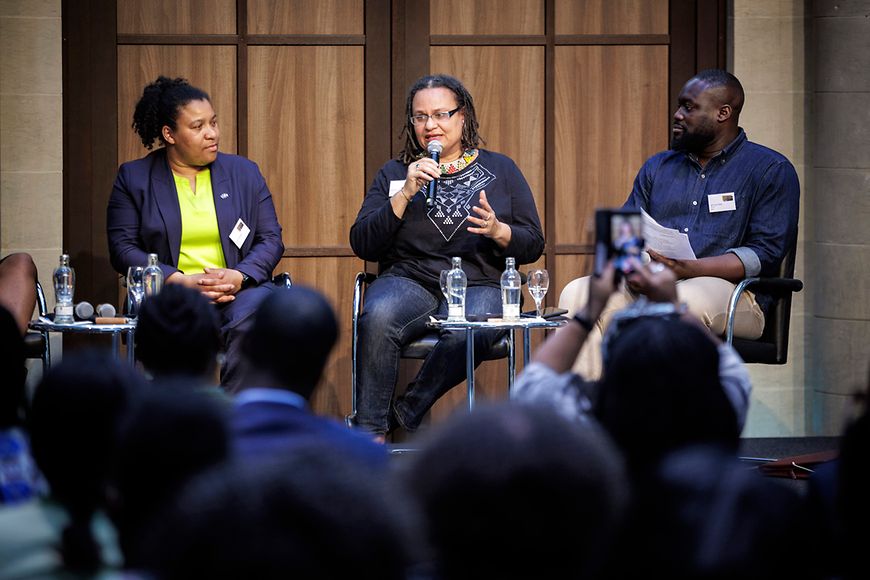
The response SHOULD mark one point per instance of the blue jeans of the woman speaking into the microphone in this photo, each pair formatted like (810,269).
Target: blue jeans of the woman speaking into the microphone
(395,313)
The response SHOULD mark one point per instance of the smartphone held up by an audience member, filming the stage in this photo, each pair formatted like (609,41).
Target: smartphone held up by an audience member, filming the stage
(618,236)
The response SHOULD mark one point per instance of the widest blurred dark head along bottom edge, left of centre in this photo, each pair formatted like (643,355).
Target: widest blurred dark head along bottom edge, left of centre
(308,514)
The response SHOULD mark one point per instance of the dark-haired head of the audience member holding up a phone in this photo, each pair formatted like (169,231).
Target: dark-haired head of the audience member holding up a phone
(660,391)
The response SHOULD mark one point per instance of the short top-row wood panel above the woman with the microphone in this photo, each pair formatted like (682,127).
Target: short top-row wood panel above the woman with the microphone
(486,17)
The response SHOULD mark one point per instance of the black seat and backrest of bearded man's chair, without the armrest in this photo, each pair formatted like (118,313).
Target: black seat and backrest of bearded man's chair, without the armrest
(772,346)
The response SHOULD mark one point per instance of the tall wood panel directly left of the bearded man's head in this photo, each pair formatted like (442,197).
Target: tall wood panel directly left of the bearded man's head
(611,114)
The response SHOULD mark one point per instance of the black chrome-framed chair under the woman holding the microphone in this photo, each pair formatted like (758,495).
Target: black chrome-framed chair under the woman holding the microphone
(419,349)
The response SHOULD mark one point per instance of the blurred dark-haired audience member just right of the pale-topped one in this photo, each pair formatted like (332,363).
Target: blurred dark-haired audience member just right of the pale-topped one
(171,436)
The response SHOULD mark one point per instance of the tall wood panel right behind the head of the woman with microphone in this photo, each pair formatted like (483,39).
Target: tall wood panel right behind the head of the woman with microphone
(507,85)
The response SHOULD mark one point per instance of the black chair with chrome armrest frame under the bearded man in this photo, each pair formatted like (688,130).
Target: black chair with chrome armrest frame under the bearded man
(772,347)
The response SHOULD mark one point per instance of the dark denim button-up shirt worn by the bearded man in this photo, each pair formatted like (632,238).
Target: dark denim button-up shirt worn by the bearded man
(673,188)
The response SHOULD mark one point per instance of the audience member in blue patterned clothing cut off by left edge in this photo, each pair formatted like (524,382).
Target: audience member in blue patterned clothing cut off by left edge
(20,480)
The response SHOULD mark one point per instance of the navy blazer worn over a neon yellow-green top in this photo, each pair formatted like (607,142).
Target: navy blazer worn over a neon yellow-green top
(144,216)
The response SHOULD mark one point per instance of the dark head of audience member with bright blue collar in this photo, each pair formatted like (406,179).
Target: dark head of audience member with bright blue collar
(289,343)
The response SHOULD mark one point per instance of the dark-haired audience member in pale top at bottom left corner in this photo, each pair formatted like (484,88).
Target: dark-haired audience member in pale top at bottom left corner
(75,418)
